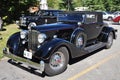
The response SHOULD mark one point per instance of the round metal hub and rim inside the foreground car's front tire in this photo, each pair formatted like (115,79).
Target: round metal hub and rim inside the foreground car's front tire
(57,60)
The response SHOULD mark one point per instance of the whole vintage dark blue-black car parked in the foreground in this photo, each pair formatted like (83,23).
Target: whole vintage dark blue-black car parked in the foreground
(50,47)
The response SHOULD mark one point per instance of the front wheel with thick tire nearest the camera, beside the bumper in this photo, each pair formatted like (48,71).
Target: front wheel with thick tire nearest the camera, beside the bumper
(58,62)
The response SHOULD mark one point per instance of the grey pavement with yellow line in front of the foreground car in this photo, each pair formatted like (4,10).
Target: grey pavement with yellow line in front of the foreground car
(103,64)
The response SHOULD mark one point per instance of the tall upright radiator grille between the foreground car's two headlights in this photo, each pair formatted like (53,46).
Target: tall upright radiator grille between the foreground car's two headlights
(33,40)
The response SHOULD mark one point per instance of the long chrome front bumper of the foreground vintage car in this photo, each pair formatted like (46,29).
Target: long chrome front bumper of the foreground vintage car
(40,66)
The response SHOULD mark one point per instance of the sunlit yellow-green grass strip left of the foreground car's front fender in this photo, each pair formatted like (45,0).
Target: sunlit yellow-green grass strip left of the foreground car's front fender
(5,34)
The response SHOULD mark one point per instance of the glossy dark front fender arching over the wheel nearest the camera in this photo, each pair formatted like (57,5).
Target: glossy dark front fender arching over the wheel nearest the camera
(49,47)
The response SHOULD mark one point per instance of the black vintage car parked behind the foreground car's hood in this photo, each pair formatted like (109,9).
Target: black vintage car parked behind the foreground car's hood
(38,18)
